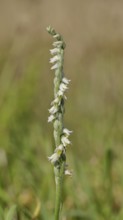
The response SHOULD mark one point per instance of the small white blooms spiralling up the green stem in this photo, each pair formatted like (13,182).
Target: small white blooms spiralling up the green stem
(57,61)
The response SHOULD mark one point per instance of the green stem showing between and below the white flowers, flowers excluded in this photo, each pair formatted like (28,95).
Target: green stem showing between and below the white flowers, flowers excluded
(58,127)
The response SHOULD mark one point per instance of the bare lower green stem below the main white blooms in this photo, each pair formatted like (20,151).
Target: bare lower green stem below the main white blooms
(59,175)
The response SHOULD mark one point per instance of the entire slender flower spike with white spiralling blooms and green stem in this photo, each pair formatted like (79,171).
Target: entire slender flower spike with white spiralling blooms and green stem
(61,134)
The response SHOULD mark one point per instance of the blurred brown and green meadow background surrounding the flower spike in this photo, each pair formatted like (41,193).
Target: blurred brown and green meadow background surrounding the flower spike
(93,32)
